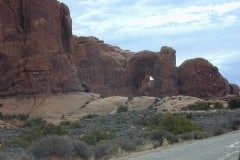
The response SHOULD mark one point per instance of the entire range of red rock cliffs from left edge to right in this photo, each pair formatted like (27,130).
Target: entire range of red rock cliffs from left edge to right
(39,55)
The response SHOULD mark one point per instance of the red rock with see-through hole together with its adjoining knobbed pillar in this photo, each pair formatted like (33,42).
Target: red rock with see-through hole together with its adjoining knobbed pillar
(160,66)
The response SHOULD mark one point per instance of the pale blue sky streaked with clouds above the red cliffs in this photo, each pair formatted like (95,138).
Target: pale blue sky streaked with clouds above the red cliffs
(195,28)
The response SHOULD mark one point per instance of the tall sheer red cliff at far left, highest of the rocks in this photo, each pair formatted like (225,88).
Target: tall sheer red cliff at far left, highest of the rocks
(35,48)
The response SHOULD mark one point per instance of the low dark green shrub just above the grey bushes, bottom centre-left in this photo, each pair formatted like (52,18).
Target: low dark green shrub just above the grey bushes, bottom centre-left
(92,138)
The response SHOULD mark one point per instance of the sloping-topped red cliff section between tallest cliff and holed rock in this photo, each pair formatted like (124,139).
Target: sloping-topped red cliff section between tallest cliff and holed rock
(100,66)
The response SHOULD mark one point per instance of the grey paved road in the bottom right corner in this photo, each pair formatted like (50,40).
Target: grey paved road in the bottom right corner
(225,147)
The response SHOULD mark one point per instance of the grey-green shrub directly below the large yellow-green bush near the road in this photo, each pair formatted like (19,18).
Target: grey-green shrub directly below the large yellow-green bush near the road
(160,135)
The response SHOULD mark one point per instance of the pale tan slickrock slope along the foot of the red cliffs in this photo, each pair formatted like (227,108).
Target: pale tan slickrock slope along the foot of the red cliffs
(73,106)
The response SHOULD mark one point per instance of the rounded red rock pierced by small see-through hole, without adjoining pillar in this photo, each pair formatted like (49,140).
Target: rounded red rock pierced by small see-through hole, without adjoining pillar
(140,67)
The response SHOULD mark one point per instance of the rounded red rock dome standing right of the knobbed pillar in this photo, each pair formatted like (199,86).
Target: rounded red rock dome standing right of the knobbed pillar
(197,77)
